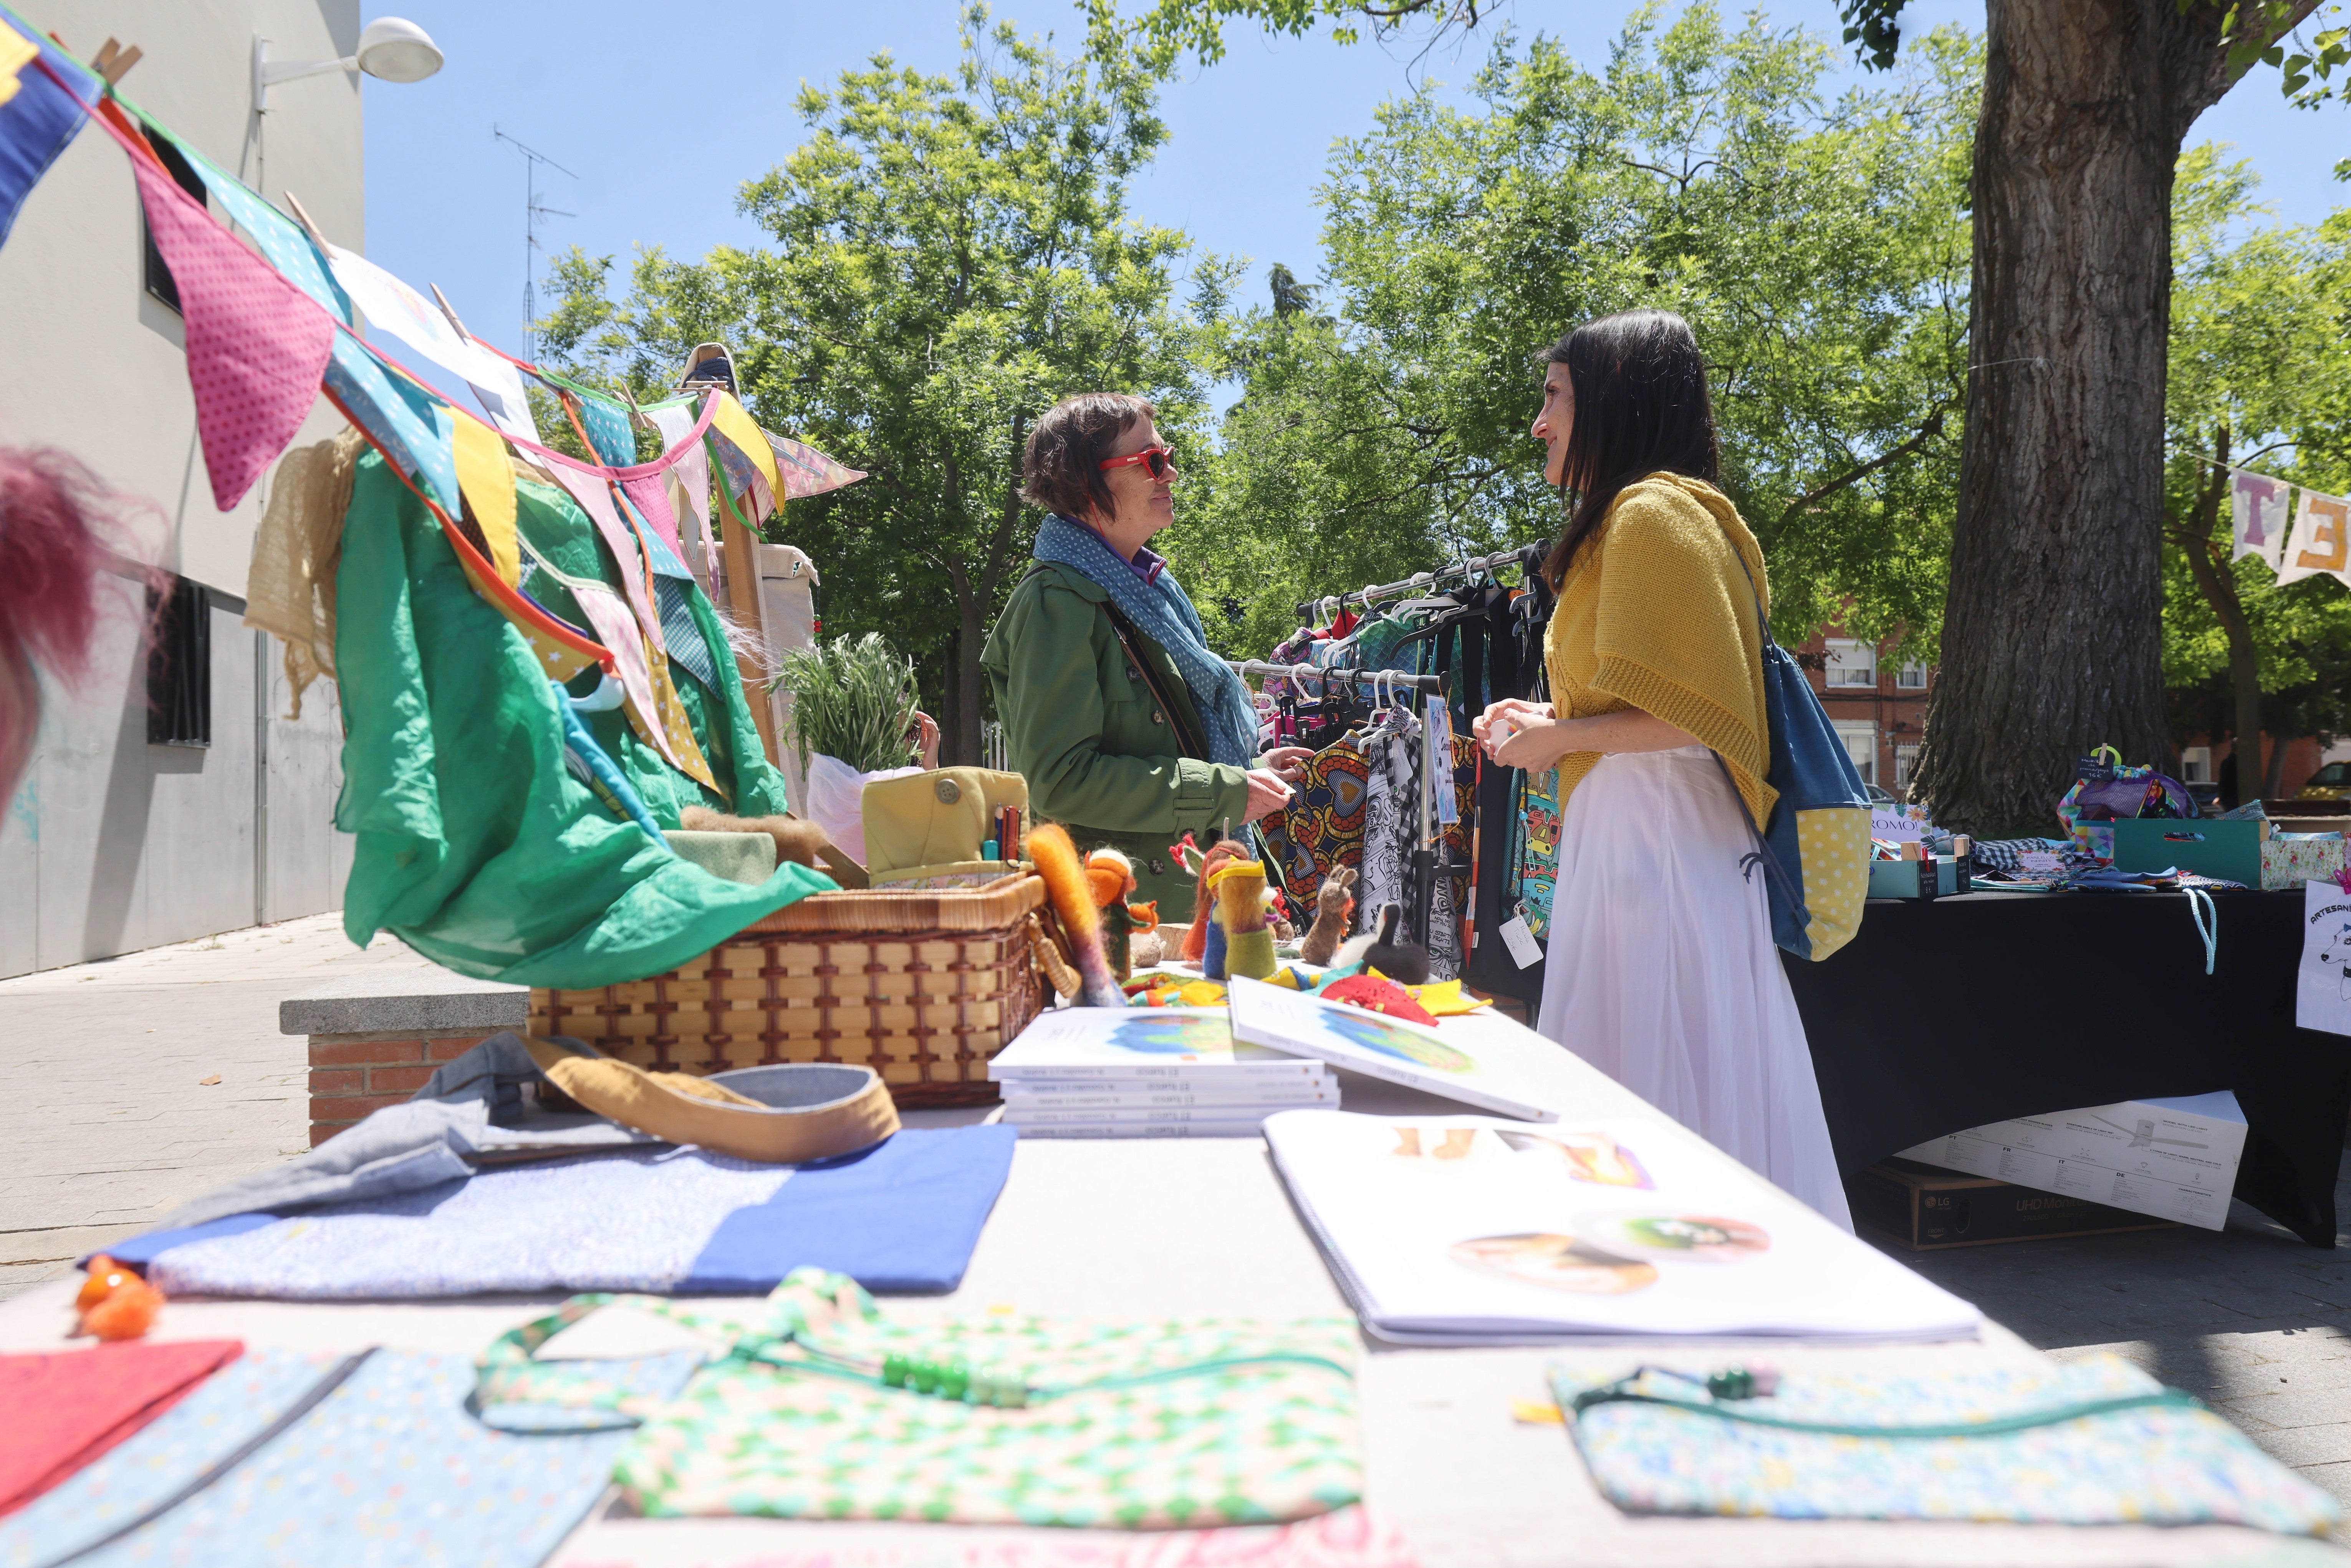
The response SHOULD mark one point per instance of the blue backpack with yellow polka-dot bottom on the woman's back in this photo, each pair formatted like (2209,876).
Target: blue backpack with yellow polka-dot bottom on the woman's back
(1816,852)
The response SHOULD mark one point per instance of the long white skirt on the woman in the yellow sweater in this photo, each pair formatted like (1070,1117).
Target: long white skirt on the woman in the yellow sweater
(1663,972)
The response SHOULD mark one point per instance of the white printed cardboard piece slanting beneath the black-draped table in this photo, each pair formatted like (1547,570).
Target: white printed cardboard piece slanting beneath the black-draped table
(2173,1160)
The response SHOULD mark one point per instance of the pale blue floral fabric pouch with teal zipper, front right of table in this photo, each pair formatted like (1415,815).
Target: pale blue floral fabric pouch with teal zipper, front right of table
(2089,1442)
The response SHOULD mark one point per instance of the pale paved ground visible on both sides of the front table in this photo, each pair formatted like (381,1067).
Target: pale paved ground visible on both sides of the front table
(109,1123)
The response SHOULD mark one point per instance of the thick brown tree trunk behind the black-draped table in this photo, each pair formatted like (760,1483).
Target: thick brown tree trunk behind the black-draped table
(2054,624)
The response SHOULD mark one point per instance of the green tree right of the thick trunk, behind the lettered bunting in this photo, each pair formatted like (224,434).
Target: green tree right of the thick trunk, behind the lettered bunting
(2260,375)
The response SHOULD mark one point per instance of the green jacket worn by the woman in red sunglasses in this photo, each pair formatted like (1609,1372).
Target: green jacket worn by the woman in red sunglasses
(1099,753)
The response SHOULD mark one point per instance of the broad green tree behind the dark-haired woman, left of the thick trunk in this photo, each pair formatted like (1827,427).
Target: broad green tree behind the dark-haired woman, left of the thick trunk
(1818,248)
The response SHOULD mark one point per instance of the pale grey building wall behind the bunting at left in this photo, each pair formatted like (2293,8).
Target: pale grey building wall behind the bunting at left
(114,843)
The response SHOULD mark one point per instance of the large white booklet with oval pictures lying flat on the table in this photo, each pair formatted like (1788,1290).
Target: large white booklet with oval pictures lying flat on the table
(1473,1231)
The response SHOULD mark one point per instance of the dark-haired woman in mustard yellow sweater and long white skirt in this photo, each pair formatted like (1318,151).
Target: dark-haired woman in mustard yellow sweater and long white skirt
(1661,967)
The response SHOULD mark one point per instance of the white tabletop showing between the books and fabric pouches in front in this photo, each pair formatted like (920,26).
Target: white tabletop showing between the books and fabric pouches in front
(1153,1228)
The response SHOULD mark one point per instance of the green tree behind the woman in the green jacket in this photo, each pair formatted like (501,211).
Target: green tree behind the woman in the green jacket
(951,257)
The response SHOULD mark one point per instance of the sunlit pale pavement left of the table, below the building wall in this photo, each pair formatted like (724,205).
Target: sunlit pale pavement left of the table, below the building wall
(109,1118)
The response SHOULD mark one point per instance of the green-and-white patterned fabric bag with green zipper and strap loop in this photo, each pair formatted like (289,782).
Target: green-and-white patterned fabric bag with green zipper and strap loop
(1031,1421)
